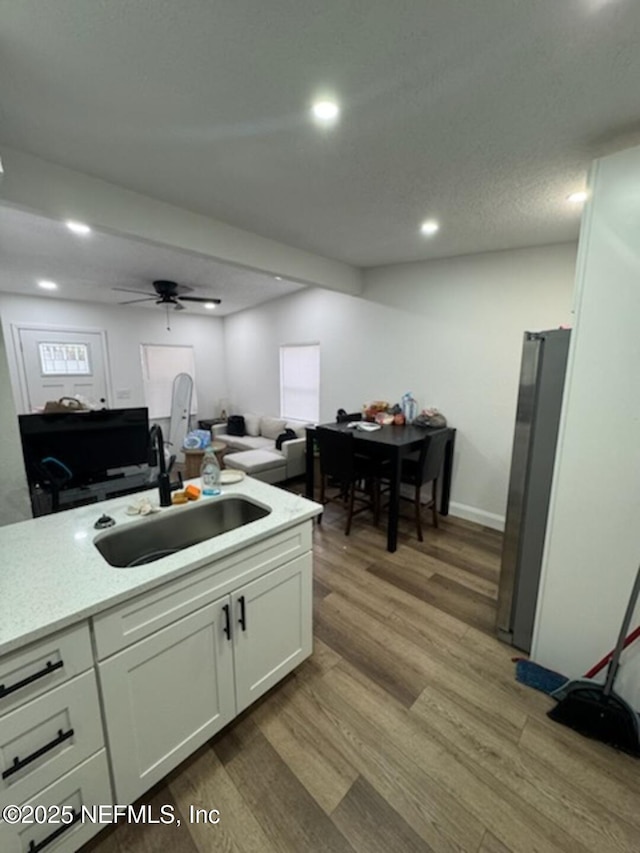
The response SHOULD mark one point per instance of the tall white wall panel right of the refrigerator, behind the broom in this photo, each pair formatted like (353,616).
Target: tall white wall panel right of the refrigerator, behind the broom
(593,542)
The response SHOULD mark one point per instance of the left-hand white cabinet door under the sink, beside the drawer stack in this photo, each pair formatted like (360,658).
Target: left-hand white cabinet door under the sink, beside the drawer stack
(165,696)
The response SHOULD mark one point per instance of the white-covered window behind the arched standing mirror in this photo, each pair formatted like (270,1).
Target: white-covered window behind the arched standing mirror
(160,365)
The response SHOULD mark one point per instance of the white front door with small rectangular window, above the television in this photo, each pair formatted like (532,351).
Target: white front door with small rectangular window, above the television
(57,363)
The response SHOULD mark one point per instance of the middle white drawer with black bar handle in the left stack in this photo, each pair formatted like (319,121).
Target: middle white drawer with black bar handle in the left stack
(48,736)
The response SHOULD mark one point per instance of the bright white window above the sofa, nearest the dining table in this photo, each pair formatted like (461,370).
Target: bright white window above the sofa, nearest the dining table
(300,382)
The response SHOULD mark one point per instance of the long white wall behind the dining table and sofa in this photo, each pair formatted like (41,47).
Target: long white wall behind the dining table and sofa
(450,331)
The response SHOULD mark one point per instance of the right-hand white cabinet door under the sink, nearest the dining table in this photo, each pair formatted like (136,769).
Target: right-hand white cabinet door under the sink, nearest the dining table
(272,628)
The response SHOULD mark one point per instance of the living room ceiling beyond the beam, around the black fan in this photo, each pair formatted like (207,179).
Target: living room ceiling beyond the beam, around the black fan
(87,268)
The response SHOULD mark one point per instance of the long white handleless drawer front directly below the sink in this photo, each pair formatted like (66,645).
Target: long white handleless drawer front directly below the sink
(142,616)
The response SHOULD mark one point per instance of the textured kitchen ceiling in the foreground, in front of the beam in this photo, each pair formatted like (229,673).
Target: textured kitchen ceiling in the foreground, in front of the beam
(485,115)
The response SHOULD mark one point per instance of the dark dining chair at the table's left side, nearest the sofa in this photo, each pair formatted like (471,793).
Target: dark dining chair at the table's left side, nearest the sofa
(354,478)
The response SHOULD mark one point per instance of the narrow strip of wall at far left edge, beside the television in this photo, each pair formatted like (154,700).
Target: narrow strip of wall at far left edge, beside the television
(14,495)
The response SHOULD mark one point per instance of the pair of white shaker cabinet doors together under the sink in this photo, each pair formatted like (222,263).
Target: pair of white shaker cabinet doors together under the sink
(167,694)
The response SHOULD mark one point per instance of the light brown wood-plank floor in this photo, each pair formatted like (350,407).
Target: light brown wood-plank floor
(405,731)
